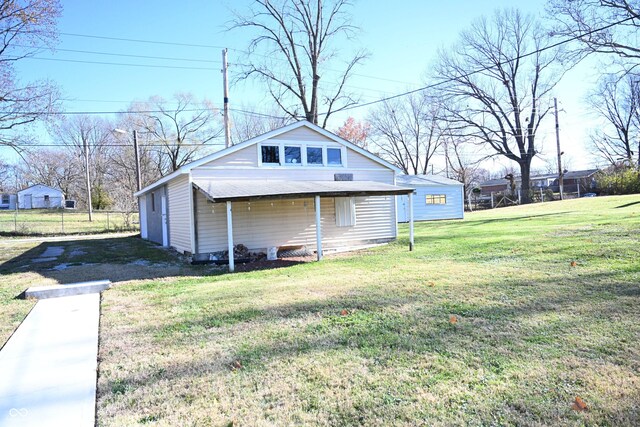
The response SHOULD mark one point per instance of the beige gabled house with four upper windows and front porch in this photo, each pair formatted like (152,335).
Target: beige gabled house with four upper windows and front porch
(273,191)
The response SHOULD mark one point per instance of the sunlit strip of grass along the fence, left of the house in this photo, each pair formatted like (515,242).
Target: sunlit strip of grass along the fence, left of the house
(48,222)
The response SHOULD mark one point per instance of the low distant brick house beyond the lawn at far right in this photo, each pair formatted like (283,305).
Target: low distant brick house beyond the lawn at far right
(582,181)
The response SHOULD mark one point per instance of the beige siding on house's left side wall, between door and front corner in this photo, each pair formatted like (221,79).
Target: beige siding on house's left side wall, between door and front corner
(179,213)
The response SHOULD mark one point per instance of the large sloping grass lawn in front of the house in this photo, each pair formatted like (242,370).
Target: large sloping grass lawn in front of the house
(503,318)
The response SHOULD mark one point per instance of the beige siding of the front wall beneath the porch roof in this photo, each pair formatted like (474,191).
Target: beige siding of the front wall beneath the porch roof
(291,222)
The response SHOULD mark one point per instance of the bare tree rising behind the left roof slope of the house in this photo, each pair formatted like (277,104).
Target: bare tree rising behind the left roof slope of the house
(181,129)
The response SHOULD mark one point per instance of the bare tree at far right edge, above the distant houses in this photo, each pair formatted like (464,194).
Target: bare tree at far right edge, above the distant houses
(616,101)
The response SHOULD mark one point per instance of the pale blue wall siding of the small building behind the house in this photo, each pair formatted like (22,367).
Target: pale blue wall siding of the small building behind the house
(453,209)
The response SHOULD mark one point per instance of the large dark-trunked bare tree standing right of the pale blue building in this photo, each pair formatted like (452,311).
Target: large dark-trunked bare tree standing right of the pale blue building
(498,93)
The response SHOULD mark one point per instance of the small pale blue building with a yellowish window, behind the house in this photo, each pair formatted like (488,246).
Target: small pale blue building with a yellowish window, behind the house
(435,198)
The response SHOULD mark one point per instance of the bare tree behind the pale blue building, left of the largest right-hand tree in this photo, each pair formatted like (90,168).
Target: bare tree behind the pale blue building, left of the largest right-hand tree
(407,131)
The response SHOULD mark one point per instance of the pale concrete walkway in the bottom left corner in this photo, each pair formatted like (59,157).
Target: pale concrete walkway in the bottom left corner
(48,368)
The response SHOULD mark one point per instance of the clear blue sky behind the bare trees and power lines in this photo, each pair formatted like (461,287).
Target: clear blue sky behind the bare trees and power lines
(402,38)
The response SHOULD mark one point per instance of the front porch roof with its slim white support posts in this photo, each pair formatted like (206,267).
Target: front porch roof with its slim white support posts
(226,192)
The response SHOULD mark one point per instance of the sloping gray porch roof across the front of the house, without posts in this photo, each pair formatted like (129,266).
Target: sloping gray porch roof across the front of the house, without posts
(216,190)
